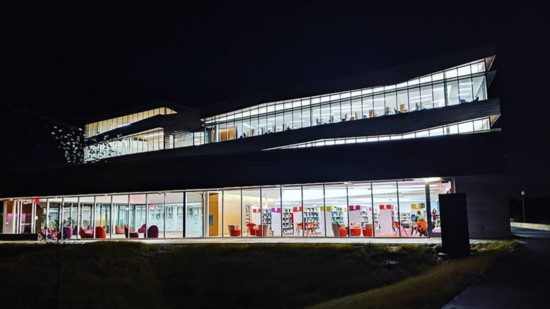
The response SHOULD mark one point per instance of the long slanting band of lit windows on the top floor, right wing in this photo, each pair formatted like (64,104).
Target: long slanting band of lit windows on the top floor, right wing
(457,85)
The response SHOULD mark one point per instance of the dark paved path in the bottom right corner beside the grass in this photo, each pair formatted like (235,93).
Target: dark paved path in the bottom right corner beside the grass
(519,280)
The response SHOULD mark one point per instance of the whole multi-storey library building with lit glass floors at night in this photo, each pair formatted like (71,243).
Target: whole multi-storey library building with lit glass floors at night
(369,156)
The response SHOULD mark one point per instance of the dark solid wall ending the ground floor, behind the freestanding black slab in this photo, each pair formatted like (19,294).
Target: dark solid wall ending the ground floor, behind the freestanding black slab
(488,215)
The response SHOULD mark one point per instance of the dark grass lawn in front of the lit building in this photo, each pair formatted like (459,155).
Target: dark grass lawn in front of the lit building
(136,275)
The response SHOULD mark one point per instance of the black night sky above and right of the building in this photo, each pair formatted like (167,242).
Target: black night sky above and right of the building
(70,60)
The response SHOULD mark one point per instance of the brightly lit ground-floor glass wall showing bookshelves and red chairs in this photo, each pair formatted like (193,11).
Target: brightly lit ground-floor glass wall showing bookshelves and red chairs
(396,208)
